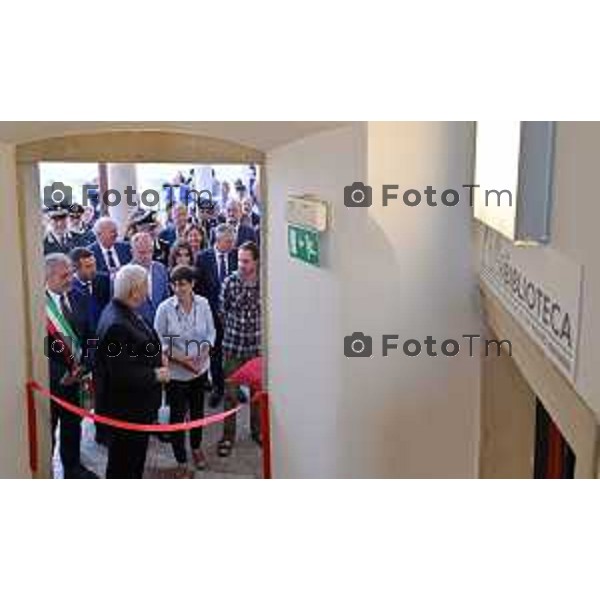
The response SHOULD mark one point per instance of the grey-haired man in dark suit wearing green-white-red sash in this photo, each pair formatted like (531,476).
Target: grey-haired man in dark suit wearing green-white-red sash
(68,331)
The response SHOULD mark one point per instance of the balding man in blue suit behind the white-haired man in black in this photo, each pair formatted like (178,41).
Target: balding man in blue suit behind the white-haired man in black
(142,246)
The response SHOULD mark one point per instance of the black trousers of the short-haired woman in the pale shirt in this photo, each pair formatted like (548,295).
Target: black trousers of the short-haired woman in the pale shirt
(184,397)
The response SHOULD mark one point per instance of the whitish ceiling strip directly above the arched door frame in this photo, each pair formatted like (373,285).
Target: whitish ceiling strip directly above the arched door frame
(261,135)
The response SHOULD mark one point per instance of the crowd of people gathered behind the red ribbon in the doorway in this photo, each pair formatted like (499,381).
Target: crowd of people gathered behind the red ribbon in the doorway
(170,309)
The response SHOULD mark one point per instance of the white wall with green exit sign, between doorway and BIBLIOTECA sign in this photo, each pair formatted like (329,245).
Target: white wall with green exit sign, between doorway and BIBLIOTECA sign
(399,270)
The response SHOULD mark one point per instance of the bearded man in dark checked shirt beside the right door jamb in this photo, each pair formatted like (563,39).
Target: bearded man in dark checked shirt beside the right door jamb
(240,312)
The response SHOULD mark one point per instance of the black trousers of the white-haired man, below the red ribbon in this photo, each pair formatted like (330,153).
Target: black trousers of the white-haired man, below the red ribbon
(126,454)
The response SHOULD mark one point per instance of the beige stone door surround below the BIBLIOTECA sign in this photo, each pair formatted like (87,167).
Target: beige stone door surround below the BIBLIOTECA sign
(506,446)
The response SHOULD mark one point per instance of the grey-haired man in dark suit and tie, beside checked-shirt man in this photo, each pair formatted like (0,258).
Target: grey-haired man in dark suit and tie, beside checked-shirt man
(212,267)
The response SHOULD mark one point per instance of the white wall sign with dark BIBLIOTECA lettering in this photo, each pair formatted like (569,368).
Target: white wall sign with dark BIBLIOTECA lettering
(542,290)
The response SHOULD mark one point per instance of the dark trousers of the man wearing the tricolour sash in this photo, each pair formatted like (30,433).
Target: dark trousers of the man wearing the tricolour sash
(70,428)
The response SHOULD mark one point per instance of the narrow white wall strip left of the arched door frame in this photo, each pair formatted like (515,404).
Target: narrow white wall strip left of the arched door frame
(13,431)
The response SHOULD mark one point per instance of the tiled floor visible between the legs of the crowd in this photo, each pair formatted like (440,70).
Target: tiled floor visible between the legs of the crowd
(244,462)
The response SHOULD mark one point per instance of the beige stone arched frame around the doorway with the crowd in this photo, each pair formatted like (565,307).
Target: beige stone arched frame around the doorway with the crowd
(108,147)
